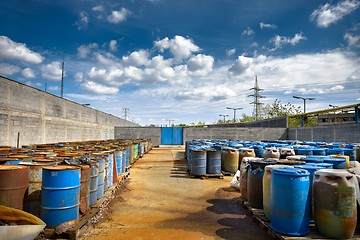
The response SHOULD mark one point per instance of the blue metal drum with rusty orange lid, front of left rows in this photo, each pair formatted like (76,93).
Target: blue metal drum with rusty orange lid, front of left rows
(60,195)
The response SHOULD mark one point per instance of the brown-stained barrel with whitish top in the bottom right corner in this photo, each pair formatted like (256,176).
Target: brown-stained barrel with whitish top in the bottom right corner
(334,203)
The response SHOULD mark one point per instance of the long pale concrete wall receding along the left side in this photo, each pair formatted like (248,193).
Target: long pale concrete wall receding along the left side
(40,117)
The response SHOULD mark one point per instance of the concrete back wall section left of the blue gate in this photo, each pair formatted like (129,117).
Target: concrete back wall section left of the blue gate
(153,133)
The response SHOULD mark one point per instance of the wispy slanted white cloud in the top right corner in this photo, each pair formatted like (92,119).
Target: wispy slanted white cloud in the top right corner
(329,14)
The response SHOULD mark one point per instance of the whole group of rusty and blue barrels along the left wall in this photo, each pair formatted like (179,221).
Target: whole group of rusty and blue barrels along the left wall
(59,193)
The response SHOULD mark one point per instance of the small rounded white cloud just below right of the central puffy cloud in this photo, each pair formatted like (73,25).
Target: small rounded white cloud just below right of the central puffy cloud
(200,65)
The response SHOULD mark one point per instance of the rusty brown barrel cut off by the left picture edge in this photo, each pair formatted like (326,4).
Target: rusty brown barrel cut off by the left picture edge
(14,181)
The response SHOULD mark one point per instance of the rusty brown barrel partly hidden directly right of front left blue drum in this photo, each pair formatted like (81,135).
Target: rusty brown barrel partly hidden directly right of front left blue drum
(85,188)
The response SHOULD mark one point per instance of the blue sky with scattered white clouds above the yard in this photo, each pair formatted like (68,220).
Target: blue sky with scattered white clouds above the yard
(182,62)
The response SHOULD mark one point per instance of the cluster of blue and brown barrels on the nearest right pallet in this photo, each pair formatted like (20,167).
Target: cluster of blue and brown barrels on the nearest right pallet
(295,195)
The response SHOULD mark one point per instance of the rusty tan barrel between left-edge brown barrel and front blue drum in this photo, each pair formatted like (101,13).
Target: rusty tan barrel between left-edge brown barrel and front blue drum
(34,192)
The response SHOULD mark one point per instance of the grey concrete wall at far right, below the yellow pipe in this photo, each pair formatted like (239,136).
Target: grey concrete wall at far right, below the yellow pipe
(349,133)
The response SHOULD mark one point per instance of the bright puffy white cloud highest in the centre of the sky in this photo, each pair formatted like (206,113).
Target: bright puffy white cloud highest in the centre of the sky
(181,48)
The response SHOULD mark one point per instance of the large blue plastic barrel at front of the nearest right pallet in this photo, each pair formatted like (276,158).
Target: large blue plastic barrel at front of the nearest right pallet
(290,202)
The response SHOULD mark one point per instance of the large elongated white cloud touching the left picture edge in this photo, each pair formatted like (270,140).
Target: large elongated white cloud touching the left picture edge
(10,50)
